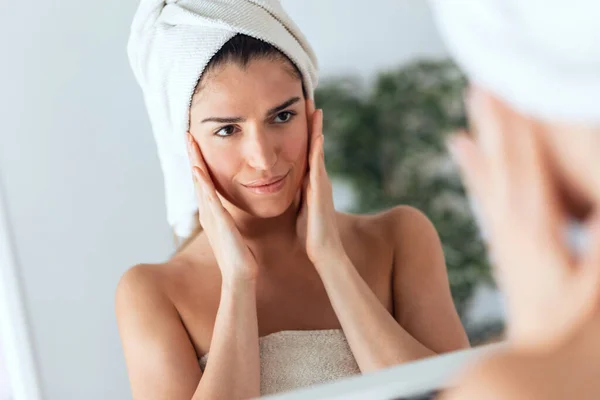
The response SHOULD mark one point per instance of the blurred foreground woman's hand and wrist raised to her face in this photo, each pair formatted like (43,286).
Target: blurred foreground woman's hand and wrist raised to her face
(511,173)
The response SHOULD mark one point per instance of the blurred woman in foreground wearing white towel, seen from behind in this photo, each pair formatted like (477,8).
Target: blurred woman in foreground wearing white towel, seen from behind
(532,164)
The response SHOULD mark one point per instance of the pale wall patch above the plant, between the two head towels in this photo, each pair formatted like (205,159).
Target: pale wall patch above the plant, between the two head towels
(364,37)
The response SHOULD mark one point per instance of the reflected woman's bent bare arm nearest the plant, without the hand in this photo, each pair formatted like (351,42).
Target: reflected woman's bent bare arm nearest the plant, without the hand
(430,325)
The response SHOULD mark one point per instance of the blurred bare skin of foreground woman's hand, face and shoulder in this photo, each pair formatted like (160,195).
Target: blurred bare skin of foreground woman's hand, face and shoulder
(531,177)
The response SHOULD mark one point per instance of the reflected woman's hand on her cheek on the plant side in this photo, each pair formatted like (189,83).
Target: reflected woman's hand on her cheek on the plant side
(316,224)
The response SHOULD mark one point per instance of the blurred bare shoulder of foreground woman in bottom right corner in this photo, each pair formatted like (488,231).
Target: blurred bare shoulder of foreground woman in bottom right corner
(567,371)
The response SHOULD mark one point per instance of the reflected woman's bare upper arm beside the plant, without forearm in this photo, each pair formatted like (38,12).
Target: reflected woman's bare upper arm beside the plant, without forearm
(423,303)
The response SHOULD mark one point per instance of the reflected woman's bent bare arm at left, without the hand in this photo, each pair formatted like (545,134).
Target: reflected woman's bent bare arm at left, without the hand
(160,357)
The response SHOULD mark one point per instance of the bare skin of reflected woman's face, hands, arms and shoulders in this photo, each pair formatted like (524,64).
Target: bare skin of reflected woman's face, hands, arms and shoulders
(276,262)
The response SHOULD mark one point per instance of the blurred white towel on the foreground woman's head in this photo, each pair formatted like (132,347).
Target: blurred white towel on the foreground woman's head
(541,56)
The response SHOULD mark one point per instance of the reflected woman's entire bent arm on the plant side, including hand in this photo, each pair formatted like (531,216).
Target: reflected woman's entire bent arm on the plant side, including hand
(377,338)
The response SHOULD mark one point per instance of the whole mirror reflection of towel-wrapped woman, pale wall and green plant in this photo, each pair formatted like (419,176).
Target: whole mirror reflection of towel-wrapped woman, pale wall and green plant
(245,204)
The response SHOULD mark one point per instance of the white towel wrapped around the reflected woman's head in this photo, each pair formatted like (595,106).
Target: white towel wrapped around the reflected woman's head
(171,43)
